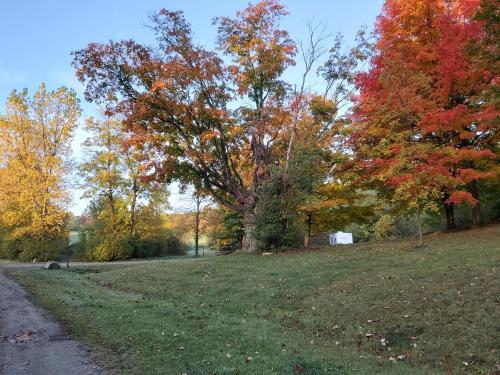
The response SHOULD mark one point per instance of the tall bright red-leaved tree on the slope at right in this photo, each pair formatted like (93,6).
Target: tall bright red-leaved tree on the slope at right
(423,122)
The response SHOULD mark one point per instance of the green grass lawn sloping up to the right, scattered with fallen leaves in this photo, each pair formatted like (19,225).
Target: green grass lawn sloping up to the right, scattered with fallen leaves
(385,308)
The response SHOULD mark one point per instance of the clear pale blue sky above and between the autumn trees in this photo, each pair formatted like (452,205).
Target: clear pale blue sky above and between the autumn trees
(38,36)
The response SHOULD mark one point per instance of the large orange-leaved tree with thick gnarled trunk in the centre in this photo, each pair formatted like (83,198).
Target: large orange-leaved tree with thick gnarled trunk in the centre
(179,100)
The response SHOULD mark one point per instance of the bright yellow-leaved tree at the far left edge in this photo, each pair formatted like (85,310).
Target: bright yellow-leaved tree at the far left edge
(35,145)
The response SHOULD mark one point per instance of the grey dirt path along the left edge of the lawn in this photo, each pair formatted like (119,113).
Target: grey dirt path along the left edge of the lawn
(30,343)
